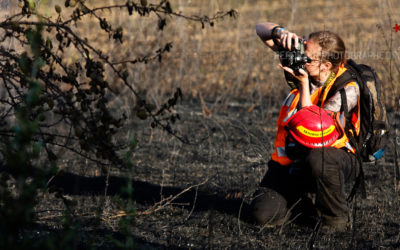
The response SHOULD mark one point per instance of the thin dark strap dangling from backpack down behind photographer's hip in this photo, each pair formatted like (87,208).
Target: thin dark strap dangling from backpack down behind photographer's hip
(359,183)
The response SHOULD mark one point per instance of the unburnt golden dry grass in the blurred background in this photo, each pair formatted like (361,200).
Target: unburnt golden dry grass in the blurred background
(228,61)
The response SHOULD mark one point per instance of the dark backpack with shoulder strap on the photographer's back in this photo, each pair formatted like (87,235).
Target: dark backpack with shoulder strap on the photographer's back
(373,139)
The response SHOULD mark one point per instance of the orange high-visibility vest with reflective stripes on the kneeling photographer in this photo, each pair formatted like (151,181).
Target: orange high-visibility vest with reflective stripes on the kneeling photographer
(289,108)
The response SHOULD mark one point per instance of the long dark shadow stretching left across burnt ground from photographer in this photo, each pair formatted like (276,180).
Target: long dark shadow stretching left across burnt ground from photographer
(147,193)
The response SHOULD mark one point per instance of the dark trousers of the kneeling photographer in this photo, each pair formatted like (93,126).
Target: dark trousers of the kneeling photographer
(323,171)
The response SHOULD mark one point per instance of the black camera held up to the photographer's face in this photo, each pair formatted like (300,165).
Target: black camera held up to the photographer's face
(295,58)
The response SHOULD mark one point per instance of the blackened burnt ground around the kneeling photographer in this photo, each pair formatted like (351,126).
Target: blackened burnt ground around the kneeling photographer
(218,173)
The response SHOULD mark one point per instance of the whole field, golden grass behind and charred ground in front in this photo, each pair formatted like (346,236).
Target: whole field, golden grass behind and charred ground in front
(232,91)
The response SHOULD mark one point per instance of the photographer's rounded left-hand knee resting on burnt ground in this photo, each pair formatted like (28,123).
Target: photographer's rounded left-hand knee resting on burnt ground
(268,206)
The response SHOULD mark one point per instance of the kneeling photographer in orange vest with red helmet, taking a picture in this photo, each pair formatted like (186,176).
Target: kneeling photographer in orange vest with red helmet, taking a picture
(312,154)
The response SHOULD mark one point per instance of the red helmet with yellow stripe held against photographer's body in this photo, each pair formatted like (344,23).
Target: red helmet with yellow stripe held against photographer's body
(313,127)
